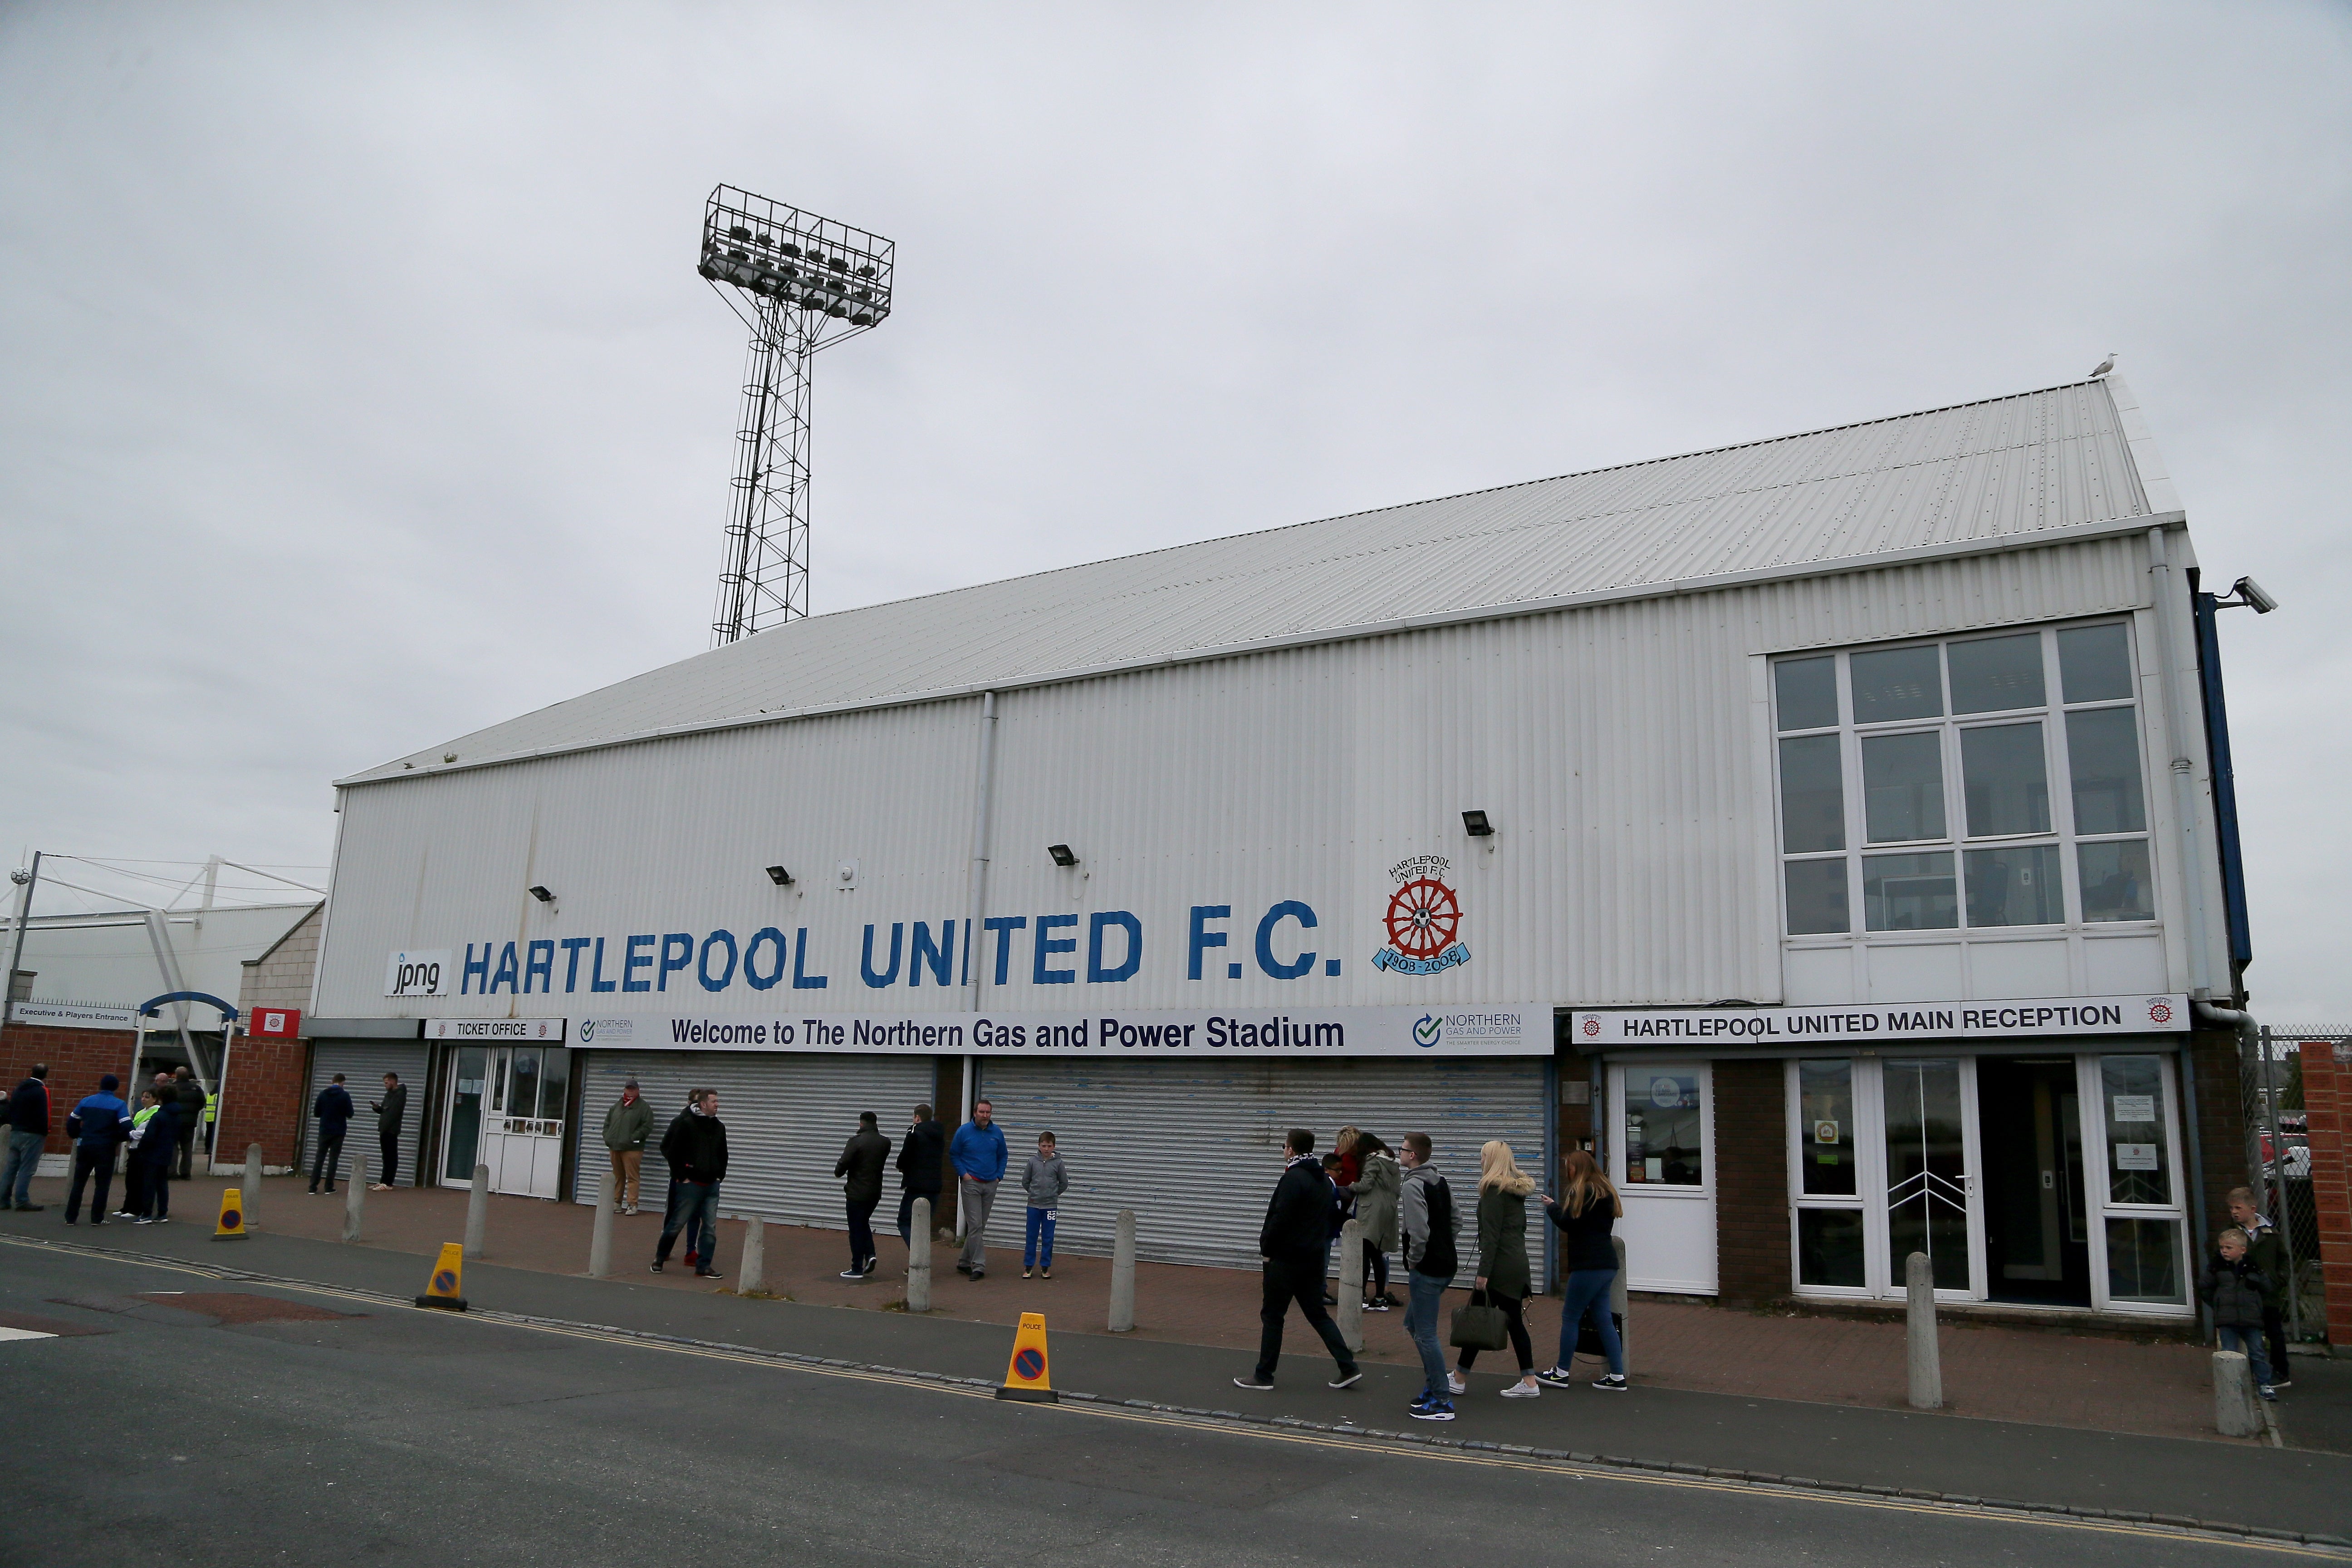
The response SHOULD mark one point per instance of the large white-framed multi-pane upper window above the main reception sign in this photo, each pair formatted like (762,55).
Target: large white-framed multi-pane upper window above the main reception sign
(1965,784)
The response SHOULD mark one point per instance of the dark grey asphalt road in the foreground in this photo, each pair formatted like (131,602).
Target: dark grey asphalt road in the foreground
(163,1430)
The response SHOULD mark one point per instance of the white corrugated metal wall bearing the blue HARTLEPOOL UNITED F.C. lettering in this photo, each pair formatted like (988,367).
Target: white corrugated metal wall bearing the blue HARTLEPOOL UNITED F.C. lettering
(1622,753)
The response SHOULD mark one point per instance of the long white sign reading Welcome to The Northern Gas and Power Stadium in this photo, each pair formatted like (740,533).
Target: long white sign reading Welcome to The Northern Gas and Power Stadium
(1342,1031)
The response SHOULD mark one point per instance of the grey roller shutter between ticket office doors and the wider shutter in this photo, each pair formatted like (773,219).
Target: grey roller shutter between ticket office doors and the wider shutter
(787,1123)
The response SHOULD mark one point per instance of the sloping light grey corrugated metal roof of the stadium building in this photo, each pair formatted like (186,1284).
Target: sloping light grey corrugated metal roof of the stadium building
(1949,478)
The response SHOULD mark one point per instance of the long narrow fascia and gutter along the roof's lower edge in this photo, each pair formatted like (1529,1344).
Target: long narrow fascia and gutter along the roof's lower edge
(1299,641)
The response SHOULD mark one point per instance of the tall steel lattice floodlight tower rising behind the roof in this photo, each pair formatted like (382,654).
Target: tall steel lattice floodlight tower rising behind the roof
(801,283)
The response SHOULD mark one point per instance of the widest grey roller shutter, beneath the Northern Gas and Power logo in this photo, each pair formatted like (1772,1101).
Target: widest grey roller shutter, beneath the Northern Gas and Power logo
(1196,1148)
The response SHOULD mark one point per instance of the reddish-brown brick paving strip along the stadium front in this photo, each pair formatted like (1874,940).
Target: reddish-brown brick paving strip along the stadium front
(1989,1372)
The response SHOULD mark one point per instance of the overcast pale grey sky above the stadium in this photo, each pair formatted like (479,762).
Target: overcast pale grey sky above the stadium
(356,387)
